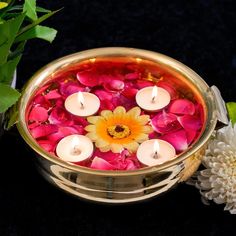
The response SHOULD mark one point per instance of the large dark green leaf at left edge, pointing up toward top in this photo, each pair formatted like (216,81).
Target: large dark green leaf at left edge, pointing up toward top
(8,33)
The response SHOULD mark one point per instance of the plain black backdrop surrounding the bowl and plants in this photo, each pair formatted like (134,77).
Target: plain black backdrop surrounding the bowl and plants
(201,34)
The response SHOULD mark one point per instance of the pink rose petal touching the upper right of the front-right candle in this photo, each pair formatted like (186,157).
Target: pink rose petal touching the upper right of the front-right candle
(178,139)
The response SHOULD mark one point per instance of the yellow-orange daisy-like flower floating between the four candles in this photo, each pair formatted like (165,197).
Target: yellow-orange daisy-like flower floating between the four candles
(118,129)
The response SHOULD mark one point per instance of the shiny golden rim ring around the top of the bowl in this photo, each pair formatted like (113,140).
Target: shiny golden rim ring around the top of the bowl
(59,63)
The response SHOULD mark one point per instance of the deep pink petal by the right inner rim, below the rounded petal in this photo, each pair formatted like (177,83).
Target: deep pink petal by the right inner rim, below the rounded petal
(190,122)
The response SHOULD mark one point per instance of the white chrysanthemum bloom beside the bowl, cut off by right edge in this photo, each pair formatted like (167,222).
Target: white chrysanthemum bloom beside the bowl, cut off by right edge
(218,181)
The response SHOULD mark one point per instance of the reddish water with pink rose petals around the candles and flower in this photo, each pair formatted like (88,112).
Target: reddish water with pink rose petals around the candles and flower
(116,82)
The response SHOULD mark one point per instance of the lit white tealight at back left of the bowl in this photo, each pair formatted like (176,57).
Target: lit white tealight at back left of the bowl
(82,104)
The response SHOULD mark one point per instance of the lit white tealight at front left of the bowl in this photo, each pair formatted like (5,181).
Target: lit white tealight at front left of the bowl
(74,148)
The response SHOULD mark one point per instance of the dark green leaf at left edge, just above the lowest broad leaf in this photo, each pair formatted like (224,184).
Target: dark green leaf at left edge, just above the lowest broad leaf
(7,70)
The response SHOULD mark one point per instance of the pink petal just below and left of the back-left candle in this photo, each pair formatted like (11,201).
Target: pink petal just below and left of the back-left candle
(60,116)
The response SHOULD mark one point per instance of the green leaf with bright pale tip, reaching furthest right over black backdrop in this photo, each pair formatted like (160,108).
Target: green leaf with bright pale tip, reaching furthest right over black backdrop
(38,31)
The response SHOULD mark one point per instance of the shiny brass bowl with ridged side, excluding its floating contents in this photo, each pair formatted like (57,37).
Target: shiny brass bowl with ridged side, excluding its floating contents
(120,186)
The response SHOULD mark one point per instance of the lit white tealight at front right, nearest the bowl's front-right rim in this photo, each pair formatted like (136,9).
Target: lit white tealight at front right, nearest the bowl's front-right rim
(155,152)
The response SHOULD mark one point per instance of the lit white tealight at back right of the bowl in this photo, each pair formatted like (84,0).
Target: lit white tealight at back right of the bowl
(152,98)
